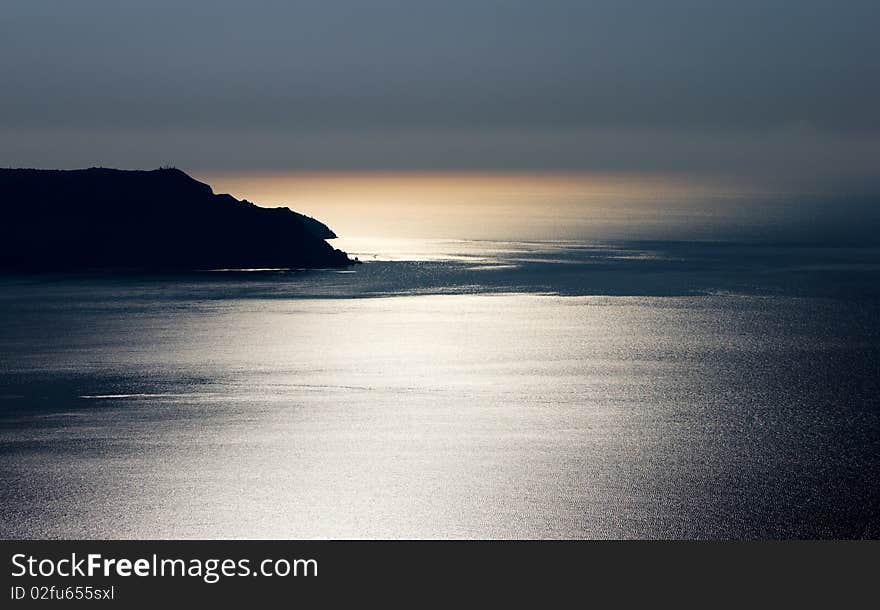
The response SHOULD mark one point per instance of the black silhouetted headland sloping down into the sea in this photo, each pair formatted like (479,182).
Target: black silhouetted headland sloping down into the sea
(66,220)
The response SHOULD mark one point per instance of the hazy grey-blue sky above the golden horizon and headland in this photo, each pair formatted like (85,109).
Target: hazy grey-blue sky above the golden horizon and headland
(753,86)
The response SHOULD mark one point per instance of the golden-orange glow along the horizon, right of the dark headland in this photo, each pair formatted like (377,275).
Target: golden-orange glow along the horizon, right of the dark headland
(467,205)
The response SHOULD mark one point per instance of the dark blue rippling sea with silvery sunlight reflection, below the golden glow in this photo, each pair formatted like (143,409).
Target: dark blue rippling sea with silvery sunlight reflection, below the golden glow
(496,389)
